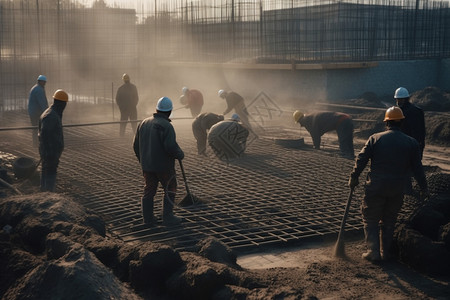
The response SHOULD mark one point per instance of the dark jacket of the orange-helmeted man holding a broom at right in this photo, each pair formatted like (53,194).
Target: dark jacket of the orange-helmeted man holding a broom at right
(393,155)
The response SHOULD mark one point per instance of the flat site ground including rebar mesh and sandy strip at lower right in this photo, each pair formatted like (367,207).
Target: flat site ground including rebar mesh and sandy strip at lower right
(276,206)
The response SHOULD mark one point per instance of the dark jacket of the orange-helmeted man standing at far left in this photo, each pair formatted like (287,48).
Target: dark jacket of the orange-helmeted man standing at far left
(51,138)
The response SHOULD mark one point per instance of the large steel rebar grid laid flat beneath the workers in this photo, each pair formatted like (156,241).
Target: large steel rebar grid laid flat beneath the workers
(270,196)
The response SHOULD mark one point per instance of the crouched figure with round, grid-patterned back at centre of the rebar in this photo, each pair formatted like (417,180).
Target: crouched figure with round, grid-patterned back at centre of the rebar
(228,138)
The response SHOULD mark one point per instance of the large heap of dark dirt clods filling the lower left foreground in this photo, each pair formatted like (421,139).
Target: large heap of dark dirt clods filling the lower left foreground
(53,248)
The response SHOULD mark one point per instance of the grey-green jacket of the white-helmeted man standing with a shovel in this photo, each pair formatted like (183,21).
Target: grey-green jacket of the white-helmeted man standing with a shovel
(155,144)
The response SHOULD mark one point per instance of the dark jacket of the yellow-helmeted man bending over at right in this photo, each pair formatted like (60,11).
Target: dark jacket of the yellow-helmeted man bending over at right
(319,123)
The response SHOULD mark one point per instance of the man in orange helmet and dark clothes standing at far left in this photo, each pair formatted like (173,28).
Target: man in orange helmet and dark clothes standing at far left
(51,140)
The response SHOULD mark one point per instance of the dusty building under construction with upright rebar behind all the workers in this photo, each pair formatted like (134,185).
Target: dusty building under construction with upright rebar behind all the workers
(319,49)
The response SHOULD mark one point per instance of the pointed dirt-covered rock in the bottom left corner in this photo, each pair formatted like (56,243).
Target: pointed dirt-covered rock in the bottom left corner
(77,275)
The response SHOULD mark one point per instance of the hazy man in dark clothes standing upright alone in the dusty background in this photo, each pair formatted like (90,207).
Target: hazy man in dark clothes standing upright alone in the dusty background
(127,99)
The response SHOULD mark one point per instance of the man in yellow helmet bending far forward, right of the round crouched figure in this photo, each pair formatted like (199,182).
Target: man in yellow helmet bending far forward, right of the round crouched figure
(319,123)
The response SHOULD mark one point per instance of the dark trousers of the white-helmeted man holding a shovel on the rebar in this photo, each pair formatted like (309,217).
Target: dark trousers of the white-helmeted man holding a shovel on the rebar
(168,182)
